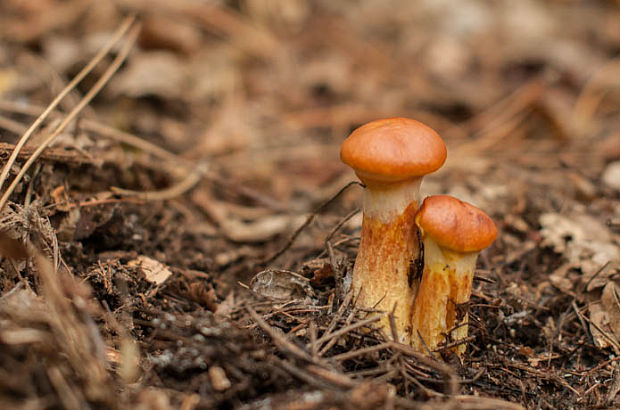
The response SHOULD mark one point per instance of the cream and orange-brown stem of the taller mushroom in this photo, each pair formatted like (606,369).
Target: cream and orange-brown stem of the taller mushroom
(383,272)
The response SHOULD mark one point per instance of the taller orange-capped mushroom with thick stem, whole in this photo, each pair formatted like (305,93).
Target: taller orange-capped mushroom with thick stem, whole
(390,157)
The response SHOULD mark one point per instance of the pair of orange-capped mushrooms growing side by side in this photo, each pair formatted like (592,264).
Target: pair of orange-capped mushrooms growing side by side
(390,157)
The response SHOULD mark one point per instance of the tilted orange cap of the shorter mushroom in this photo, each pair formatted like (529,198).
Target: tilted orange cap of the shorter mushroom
(455,225)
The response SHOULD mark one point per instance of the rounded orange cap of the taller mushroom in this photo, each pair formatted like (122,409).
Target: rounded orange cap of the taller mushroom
(393,150)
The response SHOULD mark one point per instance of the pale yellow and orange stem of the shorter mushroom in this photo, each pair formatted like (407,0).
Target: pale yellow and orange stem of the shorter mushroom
(440,310)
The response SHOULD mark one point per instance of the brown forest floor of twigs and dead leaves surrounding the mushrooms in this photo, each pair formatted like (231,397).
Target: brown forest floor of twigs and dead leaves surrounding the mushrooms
(175,231)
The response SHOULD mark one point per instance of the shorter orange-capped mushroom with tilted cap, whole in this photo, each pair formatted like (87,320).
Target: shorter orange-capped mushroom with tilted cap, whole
(453,232)
